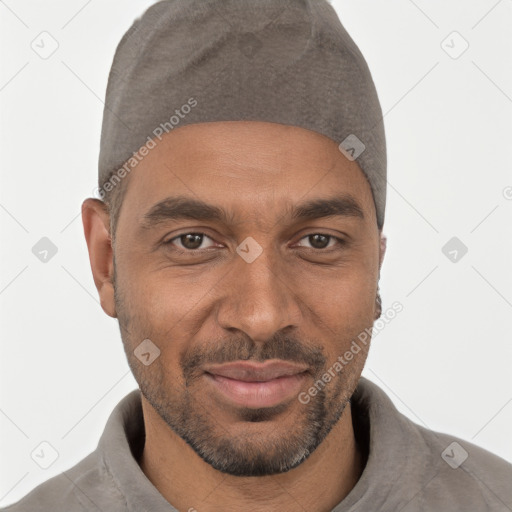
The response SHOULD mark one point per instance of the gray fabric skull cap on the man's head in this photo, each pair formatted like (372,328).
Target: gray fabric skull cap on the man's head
(283,61)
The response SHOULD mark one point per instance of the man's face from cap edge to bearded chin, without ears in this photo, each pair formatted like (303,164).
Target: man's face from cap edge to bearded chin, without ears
(292,292)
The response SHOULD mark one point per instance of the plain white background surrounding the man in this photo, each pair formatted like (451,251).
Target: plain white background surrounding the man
(445,360)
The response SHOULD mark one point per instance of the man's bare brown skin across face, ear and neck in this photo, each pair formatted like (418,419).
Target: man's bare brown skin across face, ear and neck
(303,299)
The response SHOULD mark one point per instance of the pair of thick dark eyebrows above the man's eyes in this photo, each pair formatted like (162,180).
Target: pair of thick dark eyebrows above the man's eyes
(185,208)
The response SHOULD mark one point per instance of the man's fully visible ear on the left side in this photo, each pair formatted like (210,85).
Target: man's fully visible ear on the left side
(96,222)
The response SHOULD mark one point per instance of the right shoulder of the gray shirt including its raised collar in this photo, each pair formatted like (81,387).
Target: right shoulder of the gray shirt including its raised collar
(413,468)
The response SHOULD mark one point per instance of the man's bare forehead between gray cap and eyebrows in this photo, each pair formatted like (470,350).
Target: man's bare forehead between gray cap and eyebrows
(257,167)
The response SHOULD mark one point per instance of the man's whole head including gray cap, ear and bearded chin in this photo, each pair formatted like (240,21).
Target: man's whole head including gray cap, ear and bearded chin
(237,230)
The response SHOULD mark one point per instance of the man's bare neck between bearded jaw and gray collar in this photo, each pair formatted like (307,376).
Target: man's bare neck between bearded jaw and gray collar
(188,483)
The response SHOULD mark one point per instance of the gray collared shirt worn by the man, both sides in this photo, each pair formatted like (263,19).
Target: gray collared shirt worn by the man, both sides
(409,468)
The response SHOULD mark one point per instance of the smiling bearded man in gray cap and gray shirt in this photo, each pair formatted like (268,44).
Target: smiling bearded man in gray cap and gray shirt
(239,245)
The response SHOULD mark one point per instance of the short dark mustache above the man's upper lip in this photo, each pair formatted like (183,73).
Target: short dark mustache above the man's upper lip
(244,348)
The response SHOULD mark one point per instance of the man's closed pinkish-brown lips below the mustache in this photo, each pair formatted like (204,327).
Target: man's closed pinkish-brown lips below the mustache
(254,385)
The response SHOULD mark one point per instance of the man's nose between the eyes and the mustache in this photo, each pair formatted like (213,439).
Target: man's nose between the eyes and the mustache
(259,298)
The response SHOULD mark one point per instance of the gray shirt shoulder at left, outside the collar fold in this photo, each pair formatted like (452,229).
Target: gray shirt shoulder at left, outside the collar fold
(85,486)
